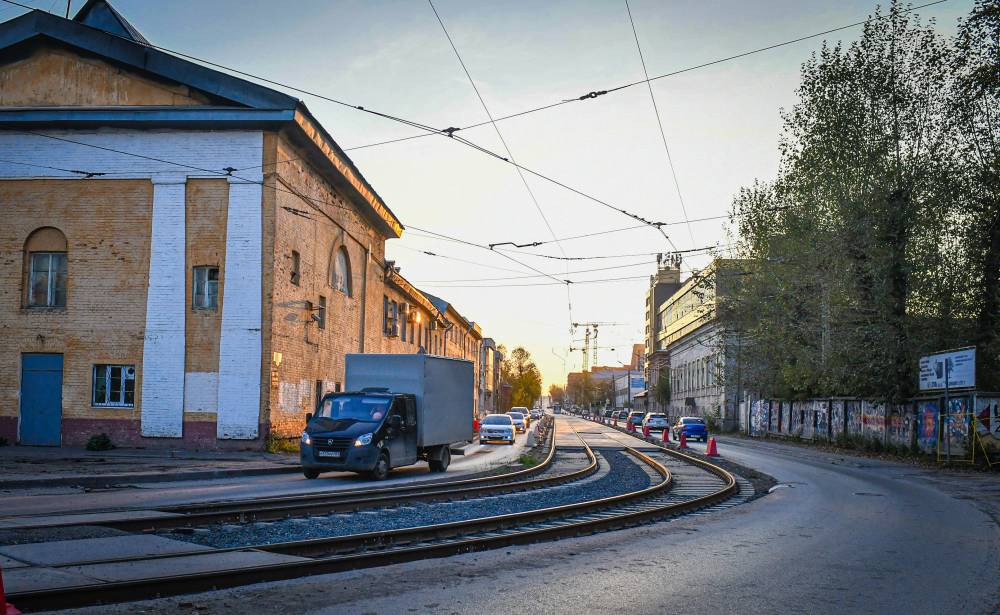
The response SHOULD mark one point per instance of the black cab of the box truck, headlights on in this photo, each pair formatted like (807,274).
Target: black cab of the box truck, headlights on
(370,431)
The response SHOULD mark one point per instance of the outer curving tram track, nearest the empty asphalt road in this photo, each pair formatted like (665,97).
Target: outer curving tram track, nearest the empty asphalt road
(701,486)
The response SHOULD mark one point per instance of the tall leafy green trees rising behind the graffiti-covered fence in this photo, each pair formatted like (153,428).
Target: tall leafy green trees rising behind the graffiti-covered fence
(879,240)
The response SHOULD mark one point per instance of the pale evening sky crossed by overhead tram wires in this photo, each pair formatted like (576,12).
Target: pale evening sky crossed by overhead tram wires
(722,124)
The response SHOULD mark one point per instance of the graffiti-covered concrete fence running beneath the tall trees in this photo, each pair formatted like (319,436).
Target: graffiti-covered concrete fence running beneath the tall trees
(925,423)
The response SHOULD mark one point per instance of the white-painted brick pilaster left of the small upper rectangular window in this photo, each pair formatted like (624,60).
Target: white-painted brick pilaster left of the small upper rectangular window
(162,371)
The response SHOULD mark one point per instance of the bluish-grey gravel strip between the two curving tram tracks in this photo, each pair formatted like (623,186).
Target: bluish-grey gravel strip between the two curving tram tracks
(620,473)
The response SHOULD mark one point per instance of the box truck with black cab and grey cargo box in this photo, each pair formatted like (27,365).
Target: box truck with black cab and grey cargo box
(397,409)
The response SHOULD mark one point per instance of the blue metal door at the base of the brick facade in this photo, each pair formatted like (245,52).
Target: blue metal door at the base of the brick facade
(41,399)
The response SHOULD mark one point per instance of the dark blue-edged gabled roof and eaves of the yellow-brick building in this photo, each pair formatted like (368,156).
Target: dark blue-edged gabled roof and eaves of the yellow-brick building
(98,29)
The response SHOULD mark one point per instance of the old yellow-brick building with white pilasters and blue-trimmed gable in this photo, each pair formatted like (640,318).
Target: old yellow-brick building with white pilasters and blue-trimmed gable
(190,256)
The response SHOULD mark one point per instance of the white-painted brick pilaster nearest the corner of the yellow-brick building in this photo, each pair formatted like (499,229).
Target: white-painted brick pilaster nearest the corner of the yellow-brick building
(240,345)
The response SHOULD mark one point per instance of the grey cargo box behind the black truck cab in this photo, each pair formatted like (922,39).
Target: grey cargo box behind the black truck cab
(443,387)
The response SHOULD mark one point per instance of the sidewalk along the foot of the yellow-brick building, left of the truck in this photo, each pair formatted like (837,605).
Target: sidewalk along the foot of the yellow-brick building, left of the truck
(23,467)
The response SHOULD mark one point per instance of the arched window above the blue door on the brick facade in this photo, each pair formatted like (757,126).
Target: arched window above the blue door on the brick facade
(45,268)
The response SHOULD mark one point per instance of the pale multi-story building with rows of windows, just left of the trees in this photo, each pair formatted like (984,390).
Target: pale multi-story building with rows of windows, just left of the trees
(700,353)
